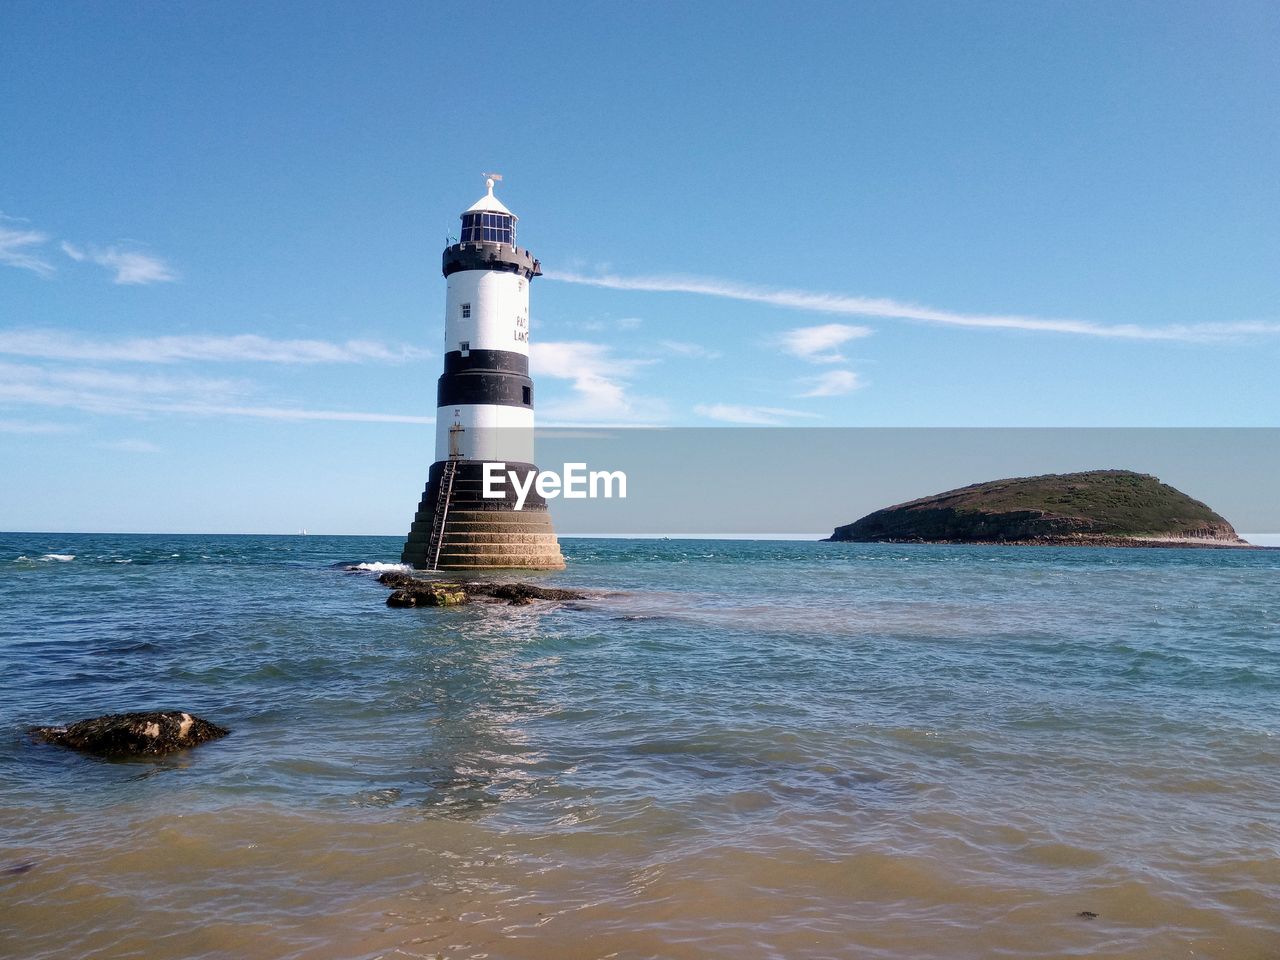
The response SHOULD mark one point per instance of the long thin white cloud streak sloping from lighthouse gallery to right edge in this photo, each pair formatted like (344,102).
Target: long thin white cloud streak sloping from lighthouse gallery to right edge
(899,310)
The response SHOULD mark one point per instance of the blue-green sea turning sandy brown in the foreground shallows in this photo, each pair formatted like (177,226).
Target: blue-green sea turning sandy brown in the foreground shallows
(734,749)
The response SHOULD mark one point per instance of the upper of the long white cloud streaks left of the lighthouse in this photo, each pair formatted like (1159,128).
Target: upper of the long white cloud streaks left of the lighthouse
(56,345)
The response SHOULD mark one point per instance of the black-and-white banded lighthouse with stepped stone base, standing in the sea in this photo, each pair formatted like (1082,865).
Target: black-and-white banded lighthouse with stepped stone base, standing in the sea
(484,410)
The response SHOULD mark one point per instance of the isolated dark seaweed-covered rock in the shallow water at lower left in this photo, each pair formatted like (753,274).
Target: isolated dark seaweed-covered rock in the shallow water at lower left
(132,734)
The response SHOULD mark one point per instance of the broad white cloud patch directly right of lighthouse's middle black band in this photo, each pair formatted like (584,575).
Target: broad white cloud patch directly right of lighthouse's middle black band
(600,382)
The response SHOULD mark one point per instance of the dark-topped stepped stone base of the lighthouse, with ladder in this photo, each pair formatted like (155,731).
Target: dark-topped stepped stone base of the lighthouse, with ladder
(477,533)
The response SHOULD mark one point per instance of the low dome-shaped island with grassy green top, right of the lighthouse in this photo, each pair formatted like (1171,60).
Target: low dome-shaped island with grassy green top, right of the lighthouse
(1094,509)
